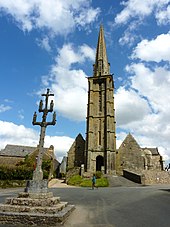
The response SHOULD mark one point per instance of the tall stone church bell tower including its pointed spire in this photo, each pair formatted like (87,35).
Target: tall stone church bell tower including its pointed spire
(100,151)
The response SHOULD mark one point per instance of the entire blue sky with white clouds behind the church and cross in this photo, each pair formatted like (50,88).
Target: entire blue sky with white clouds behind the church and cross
(51,44)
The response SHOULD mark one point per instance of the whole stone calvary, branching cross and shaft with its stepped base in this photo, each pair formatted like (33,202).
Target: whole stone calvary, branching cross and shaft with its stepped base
(36,205)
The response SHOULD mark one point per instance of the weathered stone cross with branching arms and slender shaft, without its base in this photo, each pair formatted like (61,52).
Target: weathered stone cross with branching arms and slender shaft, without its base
(38,173)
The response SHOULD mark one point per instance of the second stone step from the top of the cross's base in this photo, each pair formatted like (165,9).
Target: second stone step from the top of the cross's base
(33,202)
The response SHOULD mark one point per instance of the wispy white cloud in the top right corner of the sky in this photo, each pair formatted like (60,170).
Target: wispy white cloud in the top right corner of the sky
(135,12)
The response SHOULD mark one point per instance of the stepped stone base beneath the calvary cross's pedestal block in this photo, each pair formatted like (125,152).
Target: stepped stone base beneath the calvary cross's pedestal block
(39,209)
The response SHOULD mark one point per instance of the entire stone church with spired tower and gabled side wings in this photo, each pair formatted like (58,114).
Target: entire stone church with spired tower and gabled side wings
(98,151)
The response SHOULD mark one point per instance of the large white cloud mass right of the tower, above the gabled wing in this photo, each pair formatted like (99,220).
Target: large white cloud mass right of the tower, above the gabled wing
(144,108)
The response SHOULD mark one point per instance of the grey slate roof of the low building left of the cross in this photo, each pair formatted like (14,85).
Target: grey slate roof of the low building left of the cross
(17,150)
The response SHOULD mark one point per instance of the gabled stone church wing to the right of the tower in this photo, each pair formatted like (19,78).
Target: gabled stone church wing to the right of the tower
(132,157)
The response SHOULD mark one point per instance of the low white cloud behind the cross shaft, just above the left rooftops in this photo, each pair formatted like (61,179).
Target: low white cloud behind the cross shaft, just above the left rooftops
(20,135)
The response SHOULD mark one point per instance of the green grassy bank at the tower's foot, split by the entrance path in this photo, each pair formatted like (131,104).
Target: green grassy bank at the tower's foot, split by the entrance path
(77,180)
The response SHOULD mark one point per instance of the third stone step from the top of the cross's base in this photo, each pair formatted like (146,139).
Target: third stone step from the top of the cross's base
(37,209)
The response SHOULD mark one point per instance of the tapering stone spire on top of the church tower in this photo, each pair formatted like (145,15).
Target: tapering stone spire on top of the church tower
(101,66)
